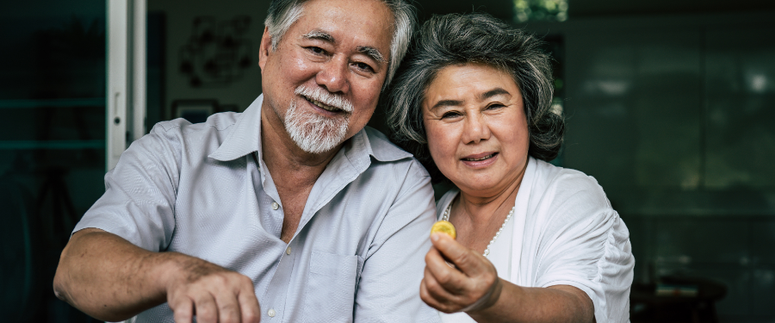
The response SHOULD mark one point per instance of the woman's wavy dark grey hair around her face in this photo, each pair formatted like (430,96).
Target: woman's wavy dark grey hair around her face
(456,39)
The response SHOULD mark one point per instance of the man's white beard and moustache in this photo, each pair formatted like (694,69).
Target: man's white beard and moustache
(312,132)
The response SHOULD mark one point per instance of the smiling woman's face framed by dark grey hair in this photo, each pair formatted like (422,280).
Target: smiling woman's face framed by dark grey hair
(476,127)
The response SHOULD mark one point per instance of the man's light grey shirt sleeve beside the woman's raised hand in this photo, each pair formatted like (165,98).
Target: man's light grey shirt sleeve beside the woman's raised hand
(389,287)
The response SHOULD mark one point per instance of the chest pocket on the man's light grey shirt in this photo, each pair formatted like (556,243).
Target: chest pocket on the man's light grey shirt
(330,293)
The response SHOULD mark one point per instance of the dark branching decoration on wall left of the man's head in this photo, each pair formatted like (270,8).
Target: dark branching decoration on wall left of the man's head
(217,53)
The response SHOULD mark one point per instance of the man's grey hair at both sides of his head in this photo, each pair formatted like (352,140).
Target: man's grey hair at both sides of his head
(283,13)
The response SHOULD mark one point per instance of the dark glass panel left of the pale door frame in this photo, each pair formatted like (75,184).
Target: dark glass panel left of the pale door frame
(52,145)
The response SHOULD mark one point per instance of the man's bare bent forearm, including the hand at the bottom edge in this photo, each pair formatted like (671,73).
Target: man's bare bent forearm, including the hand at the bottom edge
(109,278)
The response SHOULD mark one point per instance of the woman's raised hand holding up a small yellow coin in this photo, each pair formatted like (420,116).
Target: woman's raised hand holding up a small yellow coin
(458,279)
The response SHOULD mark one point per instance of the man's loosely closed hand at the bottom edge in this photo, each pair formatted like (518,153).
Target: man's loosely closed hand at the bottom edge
(213,294)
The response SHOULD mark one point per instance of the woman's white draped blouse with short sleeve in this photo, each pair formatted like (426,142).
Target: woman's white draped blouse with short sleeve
(563,232)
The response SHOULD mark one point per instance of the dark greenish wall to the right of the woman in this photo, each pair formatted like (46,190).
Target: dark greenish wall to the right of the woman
(669,113)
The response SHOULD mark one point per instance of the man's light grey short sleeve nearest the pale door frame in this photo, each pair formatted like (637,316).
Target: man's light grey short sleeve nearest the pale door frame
(138,203)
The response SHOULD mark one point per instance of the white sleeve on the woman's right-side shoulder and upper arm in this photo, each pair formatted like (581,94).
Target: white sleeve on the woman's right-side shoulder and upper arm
(585,244)
